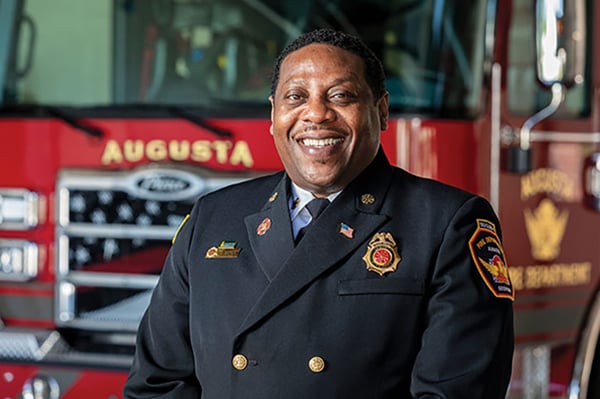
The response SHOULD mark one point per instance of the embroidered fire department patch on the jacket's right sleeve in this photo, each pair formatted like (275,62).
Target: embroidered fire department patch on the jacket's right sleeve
(489,258)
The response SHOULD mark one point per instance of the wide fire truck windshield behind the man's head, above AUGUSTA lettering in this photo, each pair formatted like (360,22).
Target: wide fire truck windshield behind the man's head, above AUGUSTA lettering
(218,54)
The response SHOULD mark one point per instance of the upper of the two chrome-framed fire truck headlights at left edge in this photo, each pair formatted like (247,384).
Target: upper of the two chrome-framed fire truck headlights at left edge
(19,209)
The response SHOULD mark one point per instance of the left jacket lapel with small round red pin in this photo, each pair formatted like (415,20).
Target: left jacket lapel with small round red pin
(270,231)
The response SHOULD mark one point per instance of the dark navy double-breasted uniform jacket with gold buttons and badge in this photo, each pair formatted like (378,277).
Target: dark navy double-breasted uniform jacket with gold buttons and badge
(241,312)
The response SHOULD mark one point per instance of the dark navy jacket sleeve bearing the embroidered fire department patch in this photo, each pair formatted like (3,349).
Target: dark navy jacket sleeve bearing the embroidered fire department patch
(468,338)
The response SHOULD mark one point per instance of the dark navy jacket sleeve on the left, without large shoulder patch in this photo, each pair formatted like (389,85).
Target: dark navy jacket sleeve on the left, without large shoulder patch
(163,364)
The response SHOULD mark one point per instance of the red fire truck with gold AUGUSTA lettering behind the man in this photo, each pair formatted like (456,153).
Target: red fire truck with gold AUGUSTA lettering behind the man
(115,115)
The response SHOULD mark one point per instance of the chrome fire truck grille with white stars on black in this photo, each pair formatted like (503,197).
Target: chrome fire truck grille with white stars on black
(114,231)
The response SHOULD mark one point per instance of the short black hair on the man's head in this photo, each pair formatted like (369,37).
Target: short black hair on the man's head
(374,74)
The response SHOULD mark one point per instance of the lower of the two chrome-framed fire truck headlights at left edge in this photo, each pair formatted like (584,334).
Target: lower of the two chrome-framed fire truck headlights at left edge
(18,260)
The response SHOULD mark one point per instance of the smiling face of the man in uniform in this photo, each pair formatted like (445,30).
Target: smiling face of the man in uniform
(325,122)
